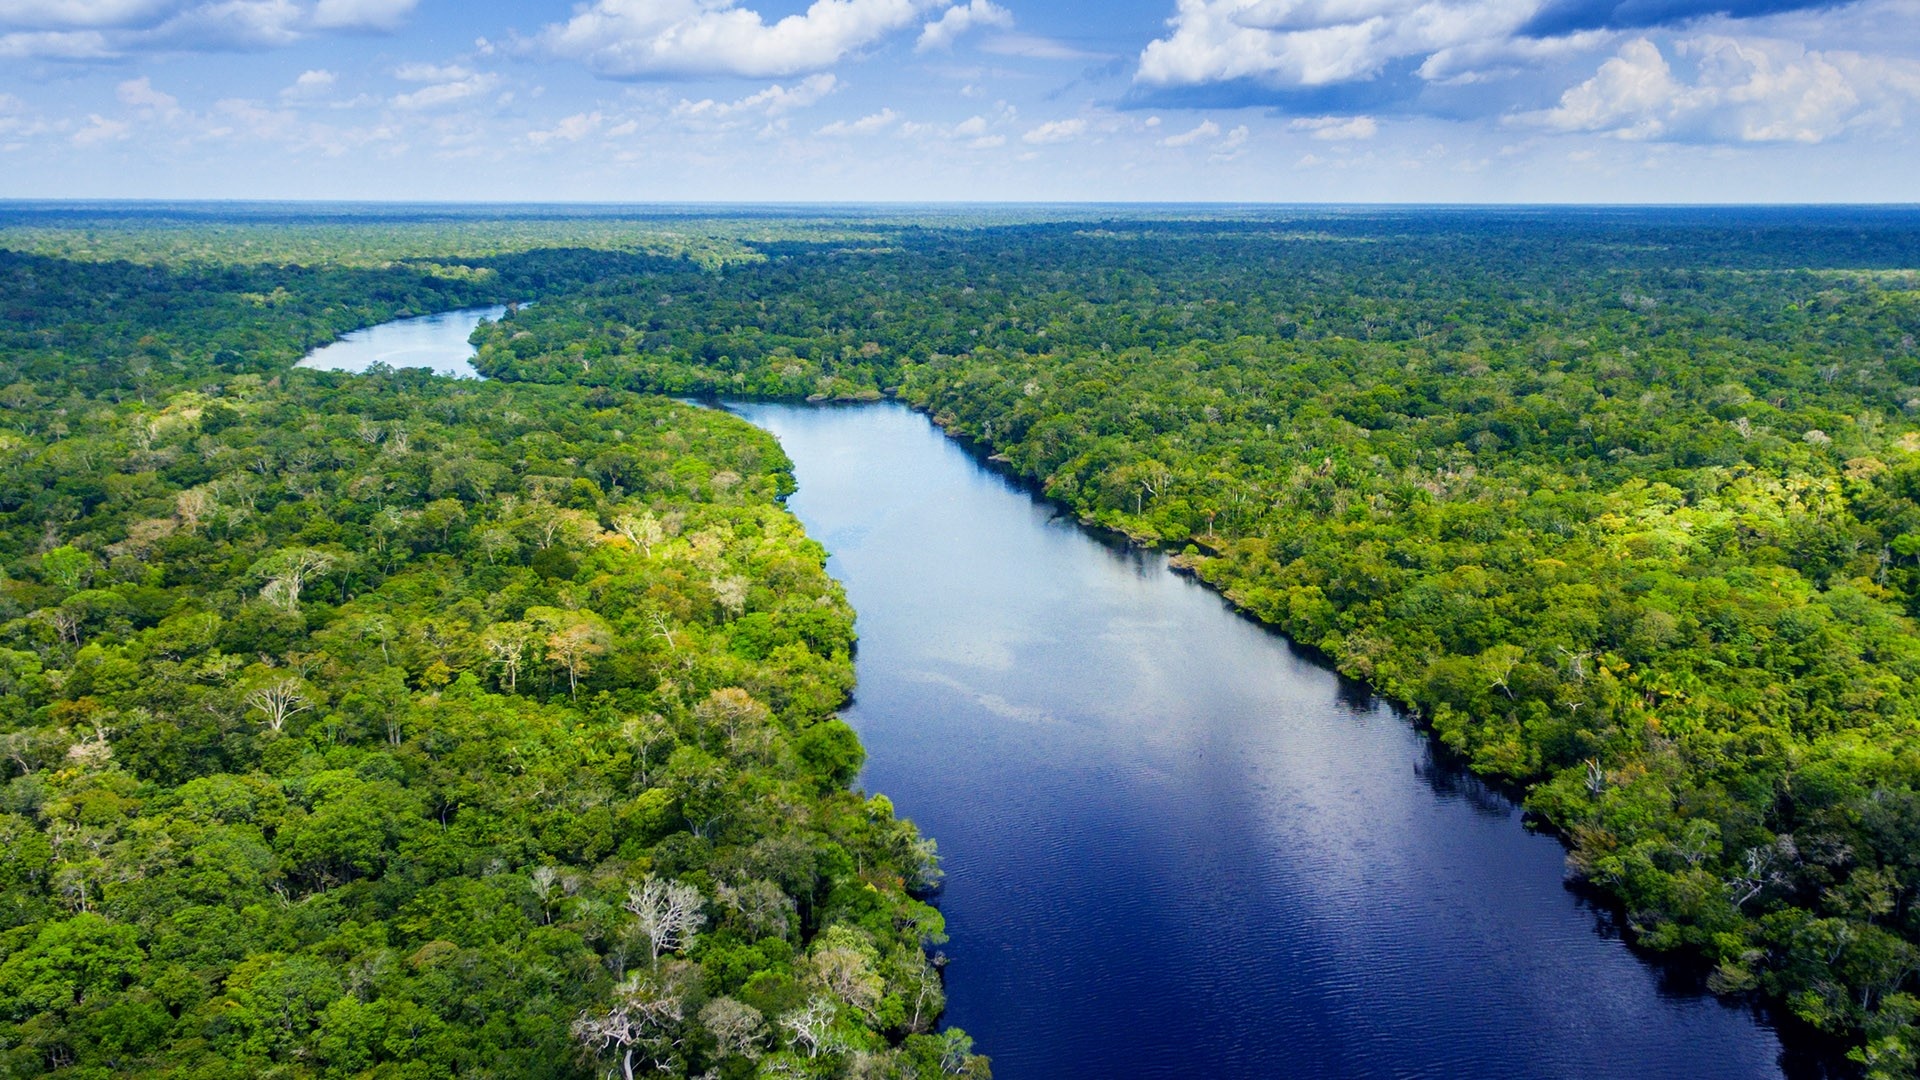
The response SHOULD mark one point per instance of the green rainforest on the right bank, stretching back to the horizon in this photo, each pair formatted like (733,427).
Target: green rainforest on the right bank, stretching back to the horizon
(1621,503)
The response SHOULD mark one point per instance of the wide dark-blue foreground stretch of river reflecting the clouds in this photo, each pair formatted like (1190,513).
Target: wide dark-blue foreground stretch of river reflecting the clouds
(1176,847)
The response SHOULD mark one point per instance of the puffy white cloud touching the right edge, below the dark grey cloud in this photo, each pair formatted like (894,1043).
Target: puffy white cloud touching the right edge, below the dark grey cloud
(1740,91)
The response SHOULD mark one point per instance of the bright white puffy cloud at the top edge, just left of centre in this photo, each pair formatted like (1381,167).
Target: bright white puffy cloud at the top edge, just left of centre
(633,39)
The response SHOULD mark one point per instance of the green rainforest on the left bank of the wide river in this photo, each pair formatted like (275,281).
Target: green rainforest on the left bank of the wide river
(404,727)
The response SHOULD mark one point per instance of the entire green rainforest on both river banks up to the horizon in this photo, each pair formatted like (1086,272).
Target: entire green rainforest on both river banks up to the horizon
(391,725)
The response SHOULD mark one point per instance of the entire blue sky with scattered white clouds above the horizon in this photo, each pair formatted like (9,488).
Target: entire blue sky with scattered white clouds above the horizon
(978,101)
